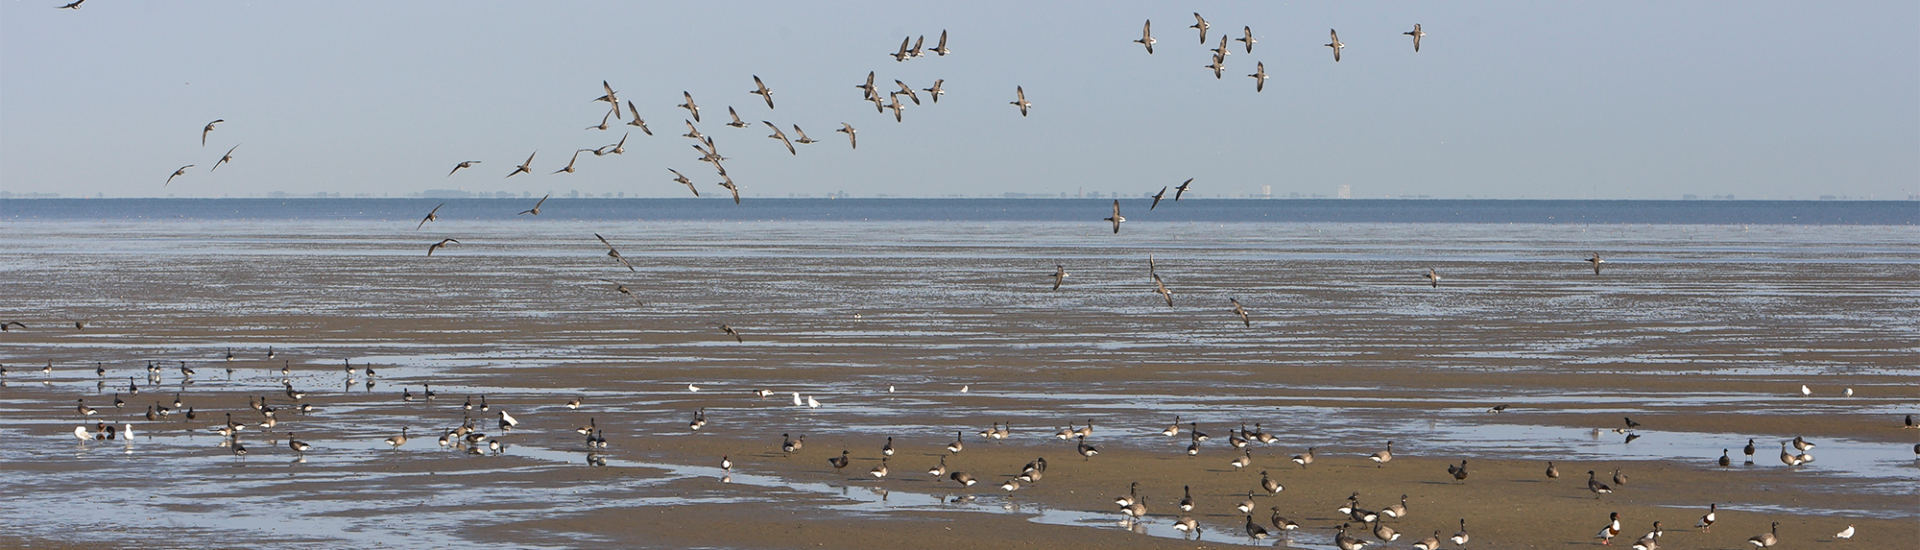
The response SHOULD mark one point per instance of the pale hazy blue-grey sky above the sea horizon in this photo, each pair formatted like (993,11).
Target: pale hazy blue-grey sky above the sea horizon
(1504,99)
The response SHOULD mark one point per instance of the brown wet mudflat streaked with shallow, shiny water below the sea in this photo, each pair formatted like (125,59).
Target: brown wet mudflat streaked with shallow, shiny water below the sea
(1698,336)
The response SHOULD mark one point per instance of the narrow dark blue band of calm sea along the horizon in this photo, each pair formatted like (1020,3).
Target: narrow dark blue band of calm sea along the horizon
(1660,212)
